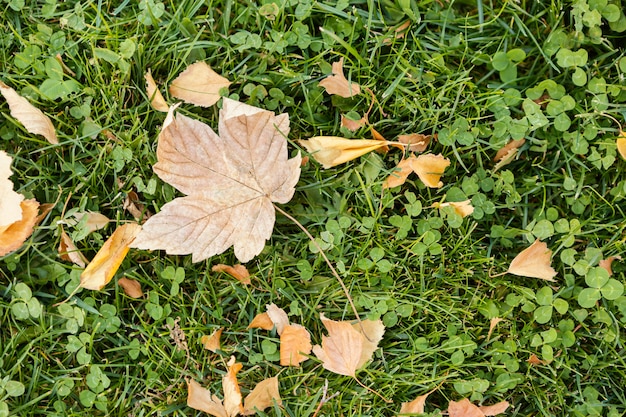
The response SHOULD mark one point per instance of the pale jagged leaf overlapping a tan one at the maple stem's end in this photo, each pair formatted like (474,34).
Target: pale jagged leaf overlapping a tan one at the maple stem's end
(341,350)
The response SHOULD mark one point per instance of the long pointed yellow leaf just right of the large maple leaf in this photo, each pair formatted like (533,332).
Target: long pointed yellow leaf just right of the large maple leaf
(331,151)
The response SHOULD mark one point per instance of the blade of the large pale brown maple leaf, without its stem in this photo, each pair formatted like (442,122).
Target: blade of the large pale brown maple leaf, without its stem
(231,181)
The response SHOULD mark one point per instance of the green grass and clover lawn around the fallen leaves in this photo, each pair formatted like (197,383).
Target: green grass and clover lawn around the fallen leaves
(466,71)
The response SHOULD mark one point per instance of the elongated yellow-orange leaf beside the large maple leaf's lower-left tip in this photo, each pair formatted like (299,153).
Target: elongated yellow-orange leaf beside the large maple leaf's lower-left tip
(109,258)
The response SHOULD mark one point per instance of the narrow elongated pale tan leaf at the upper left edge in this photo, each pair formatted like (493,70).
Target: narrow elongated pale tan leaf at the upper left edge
(33,119)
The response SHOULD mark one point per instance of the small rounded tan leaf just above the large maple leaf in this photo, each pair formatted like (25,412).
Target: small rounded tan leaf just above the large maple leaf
(199,85)
